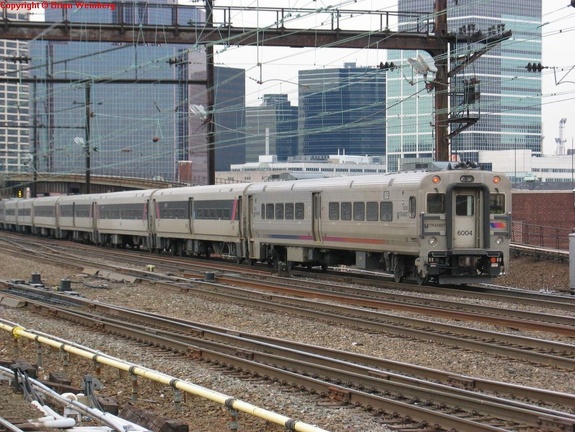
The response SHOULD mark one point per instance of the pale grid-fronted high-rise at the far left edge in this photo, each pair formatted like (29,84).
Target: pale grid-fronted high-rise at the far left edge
(14,107)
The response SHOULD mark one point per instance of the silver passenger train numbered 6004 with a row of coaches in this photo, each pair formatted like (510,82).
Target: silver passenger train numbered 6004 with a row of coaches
(451,225)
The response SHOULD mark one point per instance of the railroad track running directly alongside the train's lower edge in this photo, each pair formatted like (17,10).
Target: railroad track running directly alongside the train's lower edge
(72,254)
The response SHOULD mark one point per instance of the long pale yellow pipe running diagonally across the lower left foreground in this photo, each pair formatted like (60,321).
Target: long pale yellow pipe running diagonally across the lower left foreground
(220,398)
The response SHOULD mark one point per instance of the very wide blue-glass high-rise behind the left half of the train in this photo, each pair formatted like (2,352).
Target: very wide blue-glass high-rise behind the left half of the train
(126,105)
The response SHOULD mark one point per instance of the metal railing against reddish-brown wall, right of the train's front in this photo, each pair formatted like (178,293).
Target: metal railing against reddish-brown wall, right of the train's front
(539,235)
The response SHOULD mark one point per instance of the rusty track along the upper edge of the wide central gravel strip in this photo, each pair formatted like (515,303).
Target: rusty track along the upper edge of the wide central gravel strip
(491,342)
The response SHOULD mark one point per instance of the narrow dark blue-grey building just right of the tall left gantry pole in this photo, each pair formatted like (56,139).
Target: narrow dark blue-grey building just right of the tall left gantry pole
(229,116)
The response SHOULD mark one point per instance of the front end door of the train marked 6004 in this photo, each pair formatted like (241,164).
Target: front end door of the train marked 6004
(467,213)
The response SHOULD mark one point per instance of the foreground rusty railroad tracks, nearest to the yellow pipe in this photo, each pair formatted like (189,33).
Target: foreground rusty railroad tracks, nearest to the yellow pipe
(371,382)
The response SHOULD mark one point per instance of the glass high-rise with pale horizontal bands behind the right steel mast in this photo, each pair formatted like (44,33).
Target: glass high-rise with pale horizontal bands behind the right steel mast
(496,93)
